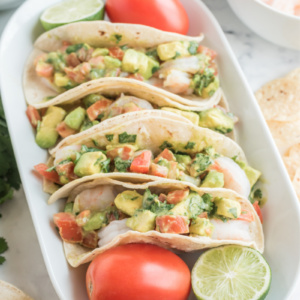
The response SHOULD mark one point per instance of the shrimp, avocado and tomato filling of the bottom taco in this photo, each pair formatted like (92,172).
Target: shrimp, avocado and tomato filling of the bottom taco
(101,213)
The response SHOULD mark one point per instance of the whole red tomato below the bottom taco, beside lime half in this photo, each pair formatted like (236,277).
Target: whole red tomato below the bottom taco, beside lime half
(138,272)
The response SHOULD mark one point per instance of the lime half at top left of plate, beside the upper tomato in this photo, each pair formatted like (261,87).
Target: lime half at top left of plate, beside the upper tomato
(70,11)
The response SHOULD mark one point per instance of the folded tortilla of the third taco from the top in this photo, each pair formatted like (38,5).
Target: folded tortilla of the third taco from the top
(151,133)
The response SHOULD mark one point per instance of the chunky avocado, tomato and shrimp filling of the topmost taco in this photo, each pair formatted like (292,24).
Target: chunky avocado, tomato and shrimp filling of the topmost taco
(180,67)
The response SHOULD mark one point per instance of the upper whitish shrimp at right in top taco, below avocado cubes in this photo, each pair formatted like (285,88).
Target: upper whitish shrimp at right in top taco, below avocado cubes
(187,64)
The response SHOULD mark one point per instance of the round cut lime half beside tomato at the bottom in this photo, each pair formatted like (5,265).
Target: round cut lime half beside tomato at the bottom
(230,273)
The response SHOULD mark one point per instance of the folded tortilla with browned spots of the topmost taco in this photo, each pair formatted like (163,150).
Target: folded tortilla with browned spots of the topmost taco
(101,34)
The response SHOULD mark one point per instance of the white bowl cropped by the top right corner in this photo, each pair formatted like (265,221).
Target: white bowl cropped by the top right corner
(271,24)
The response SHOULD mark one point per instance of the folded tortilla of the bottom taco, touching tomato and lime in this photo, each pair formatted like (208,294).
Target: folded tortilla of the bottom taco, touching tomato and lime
(247,234)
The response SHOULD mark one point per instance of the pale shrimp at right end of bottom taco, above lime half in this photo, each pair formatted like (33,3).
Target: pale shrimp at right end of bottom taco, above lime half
(231,230)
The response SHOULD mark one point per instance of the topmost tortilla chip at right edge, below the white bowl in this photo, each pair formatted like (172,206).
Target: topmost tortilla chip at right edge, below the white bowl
(279,99)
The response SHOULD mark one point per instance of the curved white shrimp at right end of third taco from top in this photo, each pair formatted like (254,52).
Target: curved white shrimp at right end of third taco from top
(234,176)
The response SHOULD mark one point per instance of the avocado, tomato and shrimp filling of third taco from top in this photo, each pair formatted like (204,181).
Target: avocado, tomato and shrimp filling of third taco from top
(206,168)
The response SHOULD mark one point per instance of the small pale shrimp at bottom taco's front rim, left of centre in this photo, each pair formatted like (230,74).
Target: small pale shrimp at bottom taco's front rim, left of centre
(113,229)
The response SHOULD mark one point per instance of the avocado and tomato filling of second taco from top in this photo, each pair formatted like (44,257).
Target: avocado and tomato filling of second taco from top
(64,120)
